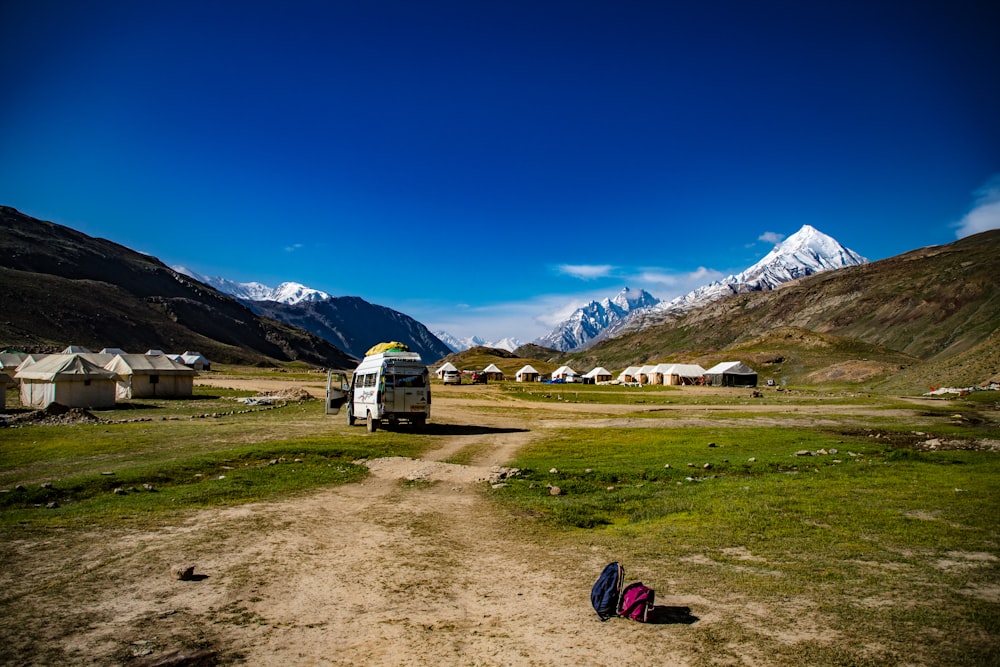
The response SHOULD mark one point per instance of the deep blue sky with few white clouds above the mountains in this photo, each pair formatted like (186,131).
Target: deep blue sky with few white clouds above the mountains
(487,166)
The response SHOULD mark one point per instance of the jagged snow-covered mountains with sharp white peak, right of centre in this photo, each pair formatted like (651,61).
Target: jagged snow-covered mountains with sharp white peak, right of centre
(804,253)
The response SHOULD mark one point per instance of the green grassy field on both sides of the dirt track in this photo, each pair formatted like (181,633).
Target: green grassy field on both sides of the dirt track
(893,548)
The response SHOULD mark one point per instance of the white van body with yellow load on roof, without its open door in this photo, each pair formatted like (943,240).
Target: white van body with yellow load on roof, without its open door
(391,387)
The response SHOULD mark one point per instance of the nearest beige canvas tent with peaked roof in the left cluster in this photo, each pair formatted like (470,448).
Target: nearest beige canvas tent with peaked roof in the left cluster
(67,379)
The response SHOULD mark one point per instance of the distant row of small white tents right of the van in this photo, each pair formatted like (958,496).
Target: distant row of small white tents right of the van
(725,374)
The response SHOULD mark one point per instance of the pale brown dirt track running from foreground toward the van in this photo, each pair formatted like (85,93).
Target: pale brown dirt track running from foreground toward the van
(409,567)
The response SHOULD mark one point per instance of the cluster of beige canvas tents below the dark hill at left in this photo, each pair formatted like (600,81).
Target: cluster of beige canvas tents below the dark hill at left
(83,379)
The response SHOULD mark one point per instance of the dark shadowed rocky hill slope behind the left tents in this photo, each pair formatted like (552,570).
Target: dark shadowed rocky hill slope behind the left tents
(63,287)
